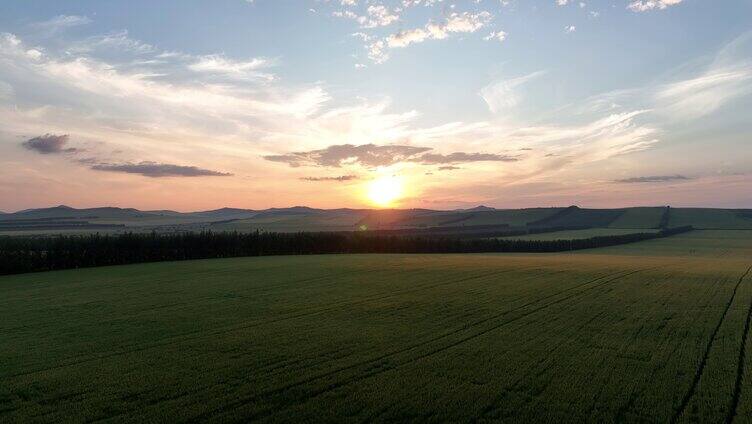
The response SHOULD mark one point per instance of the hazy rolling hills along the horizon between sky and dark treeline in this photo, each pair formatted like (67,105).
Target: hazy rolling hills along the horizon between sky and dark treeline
(300,218)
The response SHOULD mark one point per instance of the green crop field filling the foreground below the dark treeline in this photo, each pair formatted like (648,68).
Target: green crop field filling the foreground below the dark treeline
(656,331)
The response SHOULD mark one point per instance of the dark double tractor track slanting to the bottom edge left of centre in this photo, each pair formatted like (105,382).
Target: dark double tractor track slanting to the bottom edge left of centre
(374,361)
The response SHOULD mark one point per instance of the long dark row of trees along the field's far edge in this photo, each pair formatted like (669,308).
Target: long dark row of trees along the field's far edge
(28,254)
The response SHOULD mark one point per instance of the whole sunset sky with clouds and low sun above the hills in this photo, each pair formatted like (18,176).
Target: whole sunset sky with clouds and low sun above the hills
(196,105)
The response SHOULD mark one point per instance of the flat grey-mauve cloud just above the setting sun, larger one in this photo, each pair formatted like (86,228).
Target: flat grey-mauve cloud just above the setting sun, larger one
(368,155)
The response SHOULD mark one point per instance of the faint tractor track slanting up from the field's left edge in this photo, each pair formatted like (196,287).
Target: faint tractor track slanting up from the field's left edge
(184,337)
